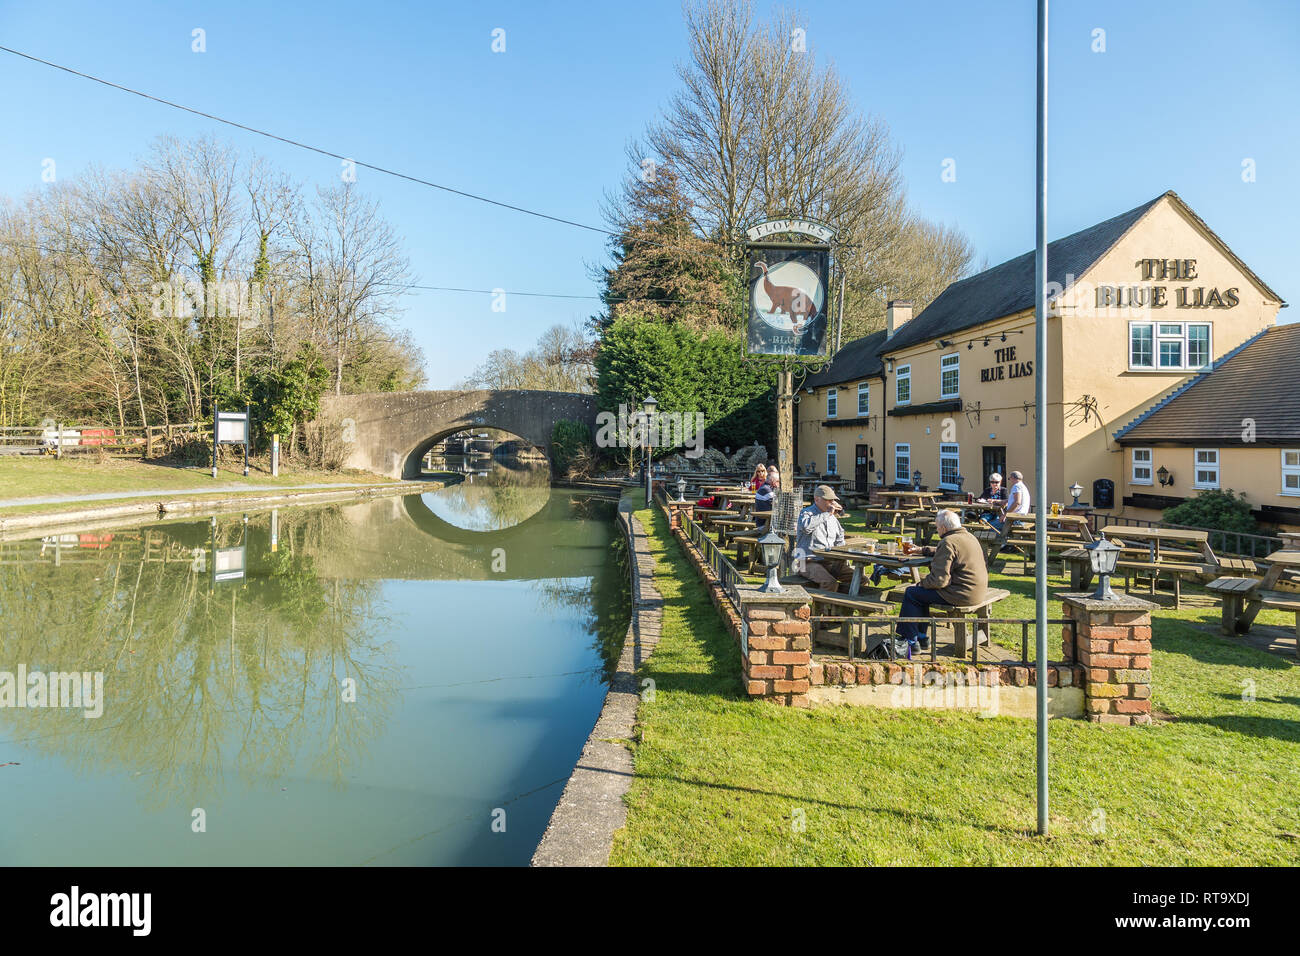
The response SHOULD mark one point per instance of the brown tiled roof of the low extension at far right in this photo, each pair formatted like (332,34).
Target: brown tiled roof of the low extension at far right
(1260,380)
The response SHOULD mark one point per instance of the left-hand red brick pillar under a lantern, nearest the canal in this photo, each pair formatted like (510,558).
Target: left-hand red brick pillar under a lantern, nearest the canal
(777,644)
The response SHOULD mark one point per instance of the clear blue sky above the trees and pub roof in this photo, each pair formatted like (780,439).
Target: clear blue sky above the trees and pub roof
(1184,93)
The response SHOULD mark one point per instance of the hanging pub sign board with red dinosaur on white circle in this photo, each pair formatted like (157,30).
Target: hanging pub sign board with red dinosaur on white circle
(788,300)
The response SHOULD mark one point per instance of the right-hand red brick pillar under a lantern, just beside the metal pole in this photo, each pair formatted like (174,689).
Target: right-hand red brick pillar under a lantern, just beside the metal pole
(1113,647)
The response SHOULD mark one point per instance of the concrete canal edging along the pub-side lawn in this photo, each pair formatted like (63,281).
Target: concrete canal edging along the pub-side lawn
(591,810)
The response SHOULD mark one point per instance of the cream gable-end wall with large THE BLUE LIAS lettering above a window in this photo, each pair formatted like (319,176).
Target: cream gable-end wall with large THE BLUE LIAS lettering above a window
(1097,343)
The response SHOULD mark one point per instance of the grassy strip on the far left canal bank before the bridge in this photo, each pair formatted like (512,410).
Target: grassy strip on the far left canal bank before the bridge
(41,477)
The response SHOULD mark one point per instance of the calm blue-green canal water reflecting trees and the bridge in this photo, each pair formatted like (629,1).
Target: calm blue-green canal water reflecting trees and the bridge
(404,681)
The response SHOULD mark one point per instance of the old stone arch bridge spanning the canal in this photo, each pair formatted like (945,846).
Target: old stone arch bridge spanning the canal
(389,432)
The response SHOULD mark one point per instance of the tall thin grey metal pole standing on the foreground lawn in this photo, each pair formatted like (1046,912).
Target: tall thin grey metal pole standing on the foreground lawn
(1041,491)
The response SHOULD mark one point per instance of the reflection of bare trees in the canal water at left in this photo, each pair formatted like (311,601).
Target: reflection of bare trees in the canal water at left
(202,678)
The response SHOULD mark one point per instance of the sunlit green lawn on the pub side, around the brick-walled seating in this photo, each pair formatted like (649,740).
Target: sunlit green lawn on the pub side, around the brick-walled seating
(722,780)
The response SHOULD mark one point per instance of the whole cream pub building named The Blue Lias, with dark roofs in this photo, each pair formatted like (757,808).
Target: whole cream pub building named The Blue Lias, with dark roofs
(1159,339)
